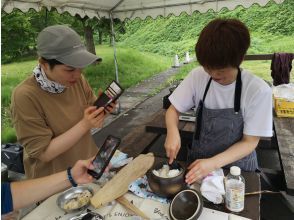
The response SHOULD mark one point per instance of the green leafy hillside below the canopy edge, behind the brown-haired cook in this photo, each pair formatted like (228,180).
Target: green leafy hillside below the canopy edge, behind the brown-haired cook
(271,27)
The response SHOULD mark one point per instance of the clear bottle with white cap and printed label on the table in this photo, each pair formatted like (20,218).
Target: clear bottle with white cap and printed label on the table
(235,190)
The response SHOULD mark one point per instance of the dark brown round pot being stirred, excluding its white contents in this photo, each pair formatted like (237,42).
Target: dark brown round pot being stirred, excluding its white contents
(166,187)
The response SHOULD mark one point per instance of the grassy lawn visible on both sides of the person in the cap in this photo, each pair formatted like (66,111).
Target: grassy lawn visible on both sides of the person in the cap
(133,67)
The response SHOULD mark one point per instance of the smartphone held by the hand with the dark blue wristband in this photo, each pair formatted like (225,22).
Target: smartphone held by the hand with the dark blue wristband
(104,156)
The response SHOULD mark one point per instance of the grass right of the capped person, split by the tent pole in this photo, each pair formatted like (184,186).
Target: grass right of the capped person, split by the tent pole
(133,67)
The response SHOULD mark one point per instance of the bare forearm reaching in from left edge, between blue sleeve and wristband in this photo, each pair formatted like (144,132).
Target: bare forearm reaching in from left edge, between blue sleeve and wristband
(27,192)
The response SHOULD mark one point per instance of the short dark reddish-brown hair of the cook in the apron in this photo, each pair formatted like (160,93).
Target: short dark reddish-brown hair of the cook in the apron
(222,43)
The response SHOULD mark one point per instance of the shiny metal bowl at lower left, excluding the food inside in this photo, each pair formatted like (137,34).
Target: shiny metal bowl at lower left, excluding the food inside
(70,194)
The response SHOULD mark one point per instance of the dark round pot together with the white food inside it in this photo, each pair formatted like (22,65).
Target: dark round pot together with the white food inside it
(165,179)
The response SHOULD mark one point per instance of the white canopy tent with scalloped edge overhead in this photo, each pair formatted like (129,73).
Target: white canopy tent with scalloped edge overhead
(123,9)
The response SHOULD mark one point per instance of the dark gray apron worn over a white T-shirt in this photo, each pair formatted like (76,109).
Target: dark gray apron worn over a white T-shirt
(217,129)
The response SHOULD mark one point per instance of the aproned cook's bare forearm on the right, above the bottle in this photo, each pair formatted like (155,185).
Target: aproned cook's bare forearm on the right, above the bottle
(237,151)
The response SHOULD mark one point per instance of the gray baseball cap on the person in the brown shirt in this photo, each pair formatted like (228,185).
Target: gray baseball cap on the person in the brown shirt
(64,44)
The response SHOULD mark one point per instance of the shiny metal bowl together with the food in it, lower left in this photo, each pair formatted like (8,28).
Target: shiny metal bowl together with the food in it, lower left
(75,199)
